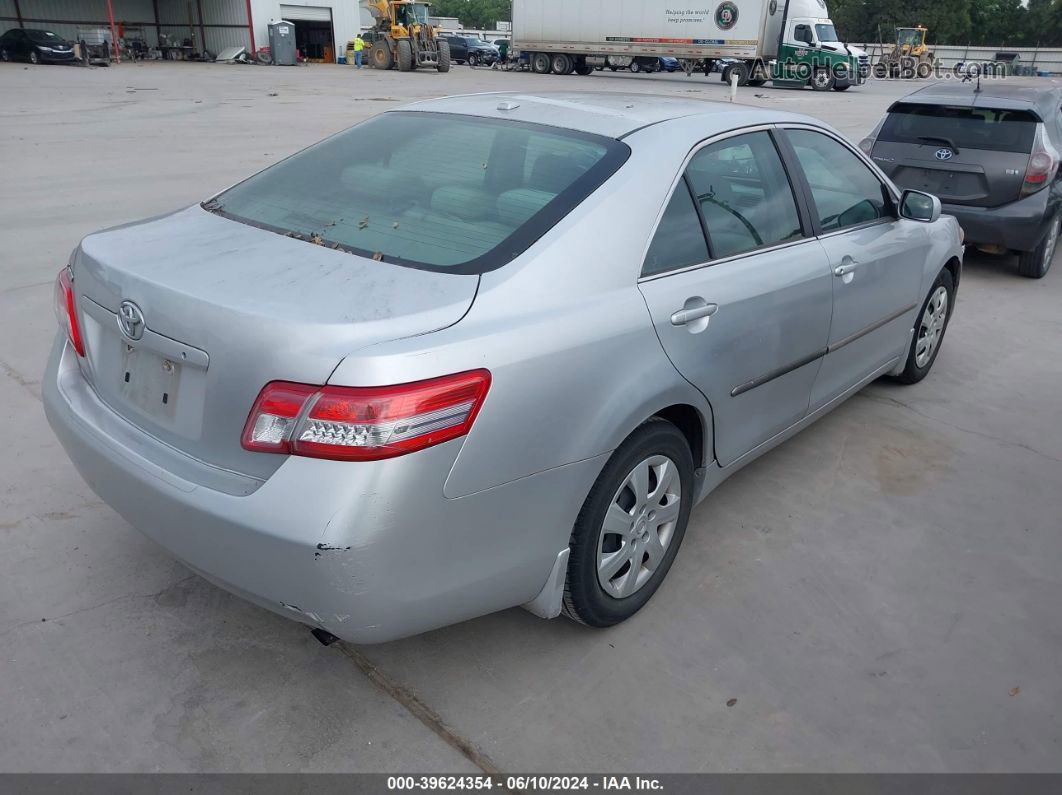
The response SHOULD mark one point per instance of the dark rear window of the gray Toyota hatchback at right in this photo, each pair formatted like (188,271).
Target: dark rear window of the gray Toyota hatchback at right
(973,128)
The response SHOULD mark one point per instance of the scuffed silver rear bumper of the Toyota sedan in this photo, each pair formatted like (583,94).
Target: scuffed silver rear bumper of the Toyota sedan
(368,551)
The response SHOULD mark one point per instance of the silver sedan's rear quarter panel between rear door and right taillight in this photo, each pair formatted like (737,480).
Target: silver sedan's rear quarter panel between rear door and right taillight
(575,360)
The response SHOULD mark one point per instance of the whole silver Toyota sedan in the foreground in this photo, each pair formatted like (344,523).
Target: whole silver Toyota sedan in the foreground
(487,352)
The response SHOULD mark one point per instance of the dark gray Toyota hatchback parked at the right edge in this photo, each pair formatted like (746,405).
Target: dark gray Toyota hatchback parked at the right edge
(991,153)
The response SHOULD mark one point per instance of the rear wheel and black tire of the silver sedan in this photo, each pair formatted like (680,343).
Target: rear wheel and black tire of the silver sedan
(661,455)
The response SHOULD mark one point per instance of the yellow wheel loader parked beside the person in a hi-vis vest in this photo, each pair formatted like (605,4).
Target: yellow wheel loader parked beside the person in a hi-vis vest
(403,38)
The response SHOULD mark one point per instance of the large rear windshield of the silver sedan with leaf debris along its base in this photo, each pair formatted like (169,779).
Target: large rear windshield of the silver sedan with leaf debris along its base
(436,192)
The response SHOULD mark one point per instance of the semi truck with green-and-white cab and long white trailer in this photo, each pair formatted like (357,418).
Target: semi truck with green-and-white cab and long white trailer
(789,42)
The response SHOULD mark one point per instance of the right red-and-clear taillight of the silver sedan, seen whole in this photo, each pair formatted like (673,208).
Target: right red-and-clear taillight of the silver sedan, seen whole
(364,423)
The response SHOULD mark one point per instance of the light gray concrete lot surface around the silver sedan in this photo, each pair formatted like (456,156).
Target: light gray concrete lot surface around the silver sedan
(880,594)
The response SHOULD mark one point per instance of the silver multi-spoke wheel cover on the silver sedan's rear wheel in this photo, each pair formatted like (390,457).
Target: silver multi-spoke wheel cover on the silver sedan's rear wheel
(639,527)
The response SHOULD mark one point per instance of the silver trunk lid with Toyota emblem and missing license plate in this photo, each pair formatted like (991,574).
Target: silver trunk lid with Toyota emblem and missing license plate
(187,317)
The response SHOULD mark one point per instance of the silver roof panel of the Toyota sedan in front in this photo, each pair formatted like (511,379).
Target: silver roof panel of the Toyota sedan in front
(612,115)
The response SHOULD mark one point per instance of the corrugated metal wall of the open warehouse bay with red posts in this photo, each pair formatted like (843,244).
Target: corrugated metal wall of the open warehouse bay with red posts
(225,22)
